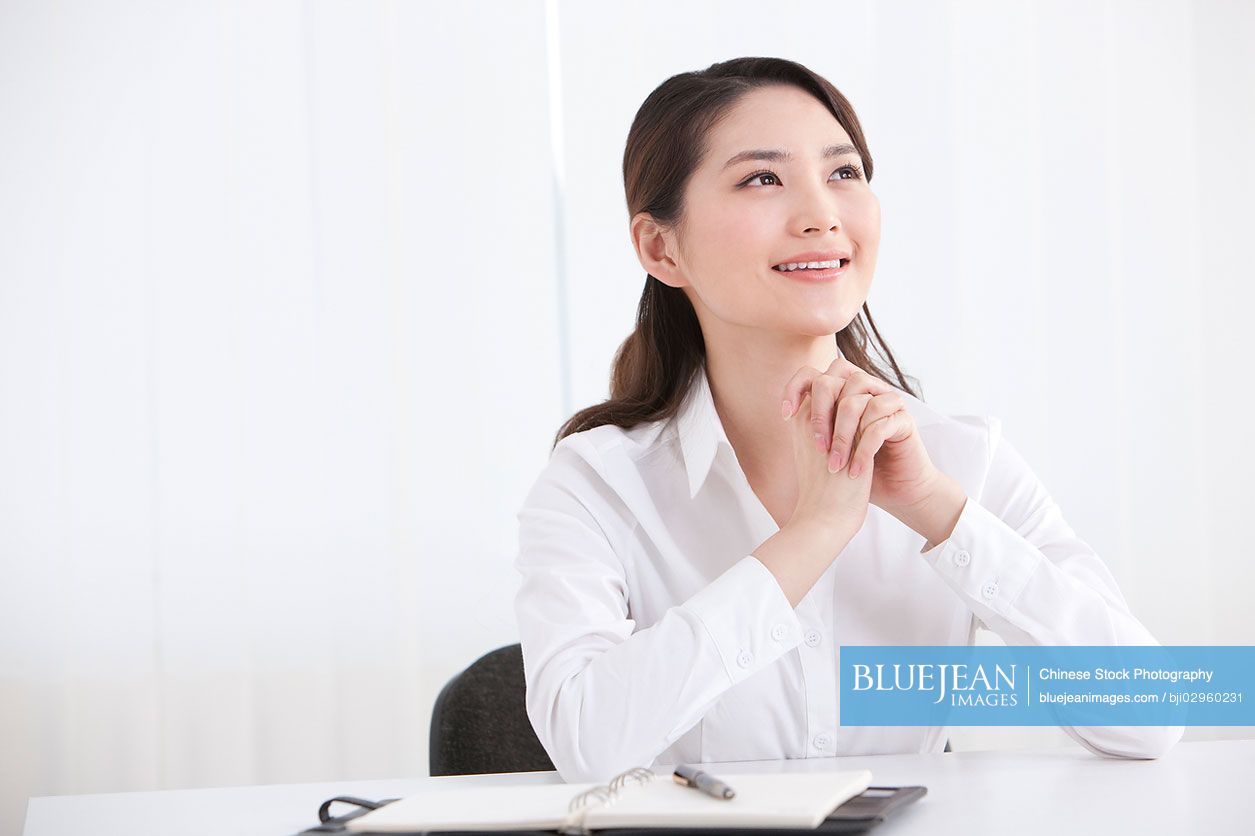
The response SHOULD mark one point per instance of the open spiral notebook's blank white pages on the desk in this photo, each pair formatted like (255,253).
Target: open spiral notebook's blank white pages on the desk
(636,799)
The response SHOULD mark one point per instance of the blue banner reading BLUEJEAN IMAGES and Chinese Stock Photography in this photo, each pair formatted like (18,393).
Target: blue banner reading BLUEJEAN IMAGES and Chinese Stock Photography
(1047,686)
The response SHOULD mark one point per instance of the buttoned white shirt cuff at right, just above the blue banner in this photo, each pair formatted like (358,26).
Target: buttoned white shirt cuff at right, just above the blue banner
(985,560)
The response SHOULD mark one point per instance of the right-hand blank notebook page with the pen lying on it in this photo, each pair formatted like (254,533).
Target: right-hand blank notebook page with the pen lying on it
(762,800)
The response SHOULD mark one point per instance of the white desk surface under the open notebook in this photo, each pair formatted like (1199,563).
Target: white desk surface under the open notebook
(1200,788)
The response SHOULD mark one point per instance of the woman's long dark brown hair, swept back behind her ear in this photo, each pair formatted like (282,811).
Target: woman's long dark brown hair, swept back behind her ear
(656,366)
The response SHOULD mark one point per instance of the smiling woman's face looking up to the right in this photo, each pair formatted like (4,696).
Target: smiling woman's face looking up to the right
(741,222)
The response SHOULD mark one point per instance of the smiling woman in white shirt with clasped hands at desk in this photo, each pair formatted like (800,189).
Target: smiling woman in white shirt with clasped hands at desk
(757,493)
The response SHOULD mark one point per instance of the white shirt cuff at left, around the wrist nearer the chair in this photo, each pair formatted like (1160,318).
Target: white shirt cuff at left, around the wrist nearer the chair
(749,618)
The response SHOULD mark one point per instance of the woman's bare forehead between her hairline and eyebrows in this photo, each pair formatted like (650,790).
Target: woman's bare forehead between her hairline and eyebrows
(776,117)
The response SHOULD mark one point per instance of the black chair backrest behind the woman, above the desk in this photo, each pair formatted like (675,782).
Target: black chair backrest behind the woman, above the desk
(480,721)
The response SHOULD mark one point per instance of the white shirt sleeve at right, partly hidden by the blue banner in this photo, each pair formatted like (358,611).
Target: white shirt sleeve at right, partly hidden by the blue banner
(1027,577)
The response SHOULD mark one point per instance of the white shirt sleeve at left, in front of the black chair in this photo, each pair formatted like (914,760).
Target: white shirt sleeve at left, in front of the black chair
(604,696)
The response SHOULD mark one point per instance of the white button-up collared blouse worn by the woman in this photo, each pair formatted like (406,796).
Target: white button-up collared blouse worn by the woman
(652,636)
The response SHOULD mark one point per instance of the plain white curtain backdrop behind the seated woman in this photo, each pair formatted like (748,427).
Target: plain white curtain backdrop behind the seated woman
(294,297)
